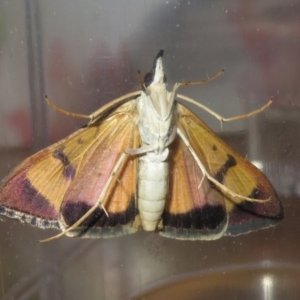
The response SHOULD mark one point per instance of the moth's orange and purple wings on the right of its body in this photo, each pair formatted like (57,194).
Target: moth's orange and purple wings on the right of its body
(229,168)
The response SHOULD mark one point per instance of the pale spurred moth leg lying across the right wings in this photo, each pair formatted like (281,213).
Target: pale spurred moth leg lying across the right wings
(211,178)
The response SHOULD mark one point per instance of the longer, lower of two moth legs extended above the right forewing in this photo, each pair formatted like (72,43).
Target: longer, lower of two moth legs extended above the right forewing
(219,117)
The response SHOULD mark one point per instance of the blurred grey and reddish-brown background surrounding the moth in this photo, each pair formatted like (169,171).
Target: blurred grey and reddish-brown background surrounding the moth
(83,54)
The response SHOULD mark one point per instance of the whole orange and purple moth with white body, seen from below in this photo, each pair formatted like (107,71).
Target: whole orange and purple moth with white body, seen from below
(144,161)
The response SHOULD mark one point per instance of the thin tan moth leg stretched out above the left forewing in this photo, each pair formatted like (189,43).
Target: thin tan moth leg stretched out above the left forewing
(93,117)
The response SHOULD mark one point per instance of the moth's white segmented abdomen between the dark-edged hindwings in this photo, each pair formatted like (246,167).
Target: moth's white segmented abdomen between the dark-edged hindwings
(153,184)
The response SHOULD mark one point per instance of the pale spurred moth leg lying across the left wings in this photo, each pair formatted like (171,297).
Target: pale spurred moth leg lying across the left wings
(97,203)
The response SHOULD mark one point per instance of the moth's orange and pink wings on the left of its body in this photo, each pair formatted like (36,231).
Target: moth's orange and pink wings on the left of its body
(46,187)
